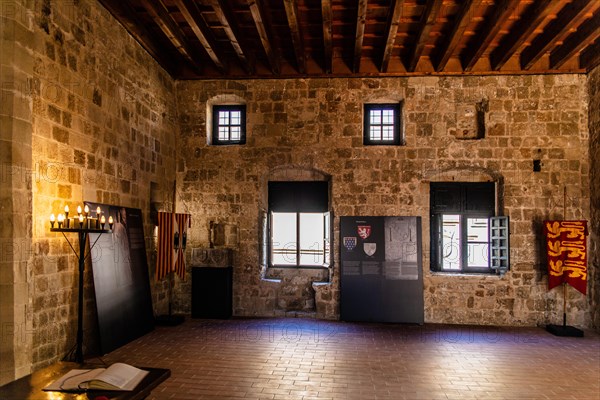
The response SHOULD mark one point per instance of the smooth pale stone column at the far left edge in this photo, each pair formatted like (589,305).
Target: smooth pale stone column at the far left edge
(16,55)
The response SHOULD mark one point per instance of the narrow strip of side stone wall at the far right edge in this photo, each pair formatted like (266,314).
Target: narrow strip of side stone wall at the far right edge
(594,261)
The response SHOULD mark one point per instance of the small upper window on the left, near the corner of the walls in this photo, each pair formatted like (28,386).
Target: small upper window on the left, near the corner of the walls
(229,124)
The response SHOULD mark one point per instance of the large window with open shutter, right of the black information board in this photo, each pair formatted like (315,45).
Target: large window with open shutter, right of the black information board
(465,234)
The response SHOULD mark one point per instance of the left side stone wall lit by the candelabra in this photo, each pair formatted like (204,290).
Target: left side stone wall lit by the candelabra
(102,128)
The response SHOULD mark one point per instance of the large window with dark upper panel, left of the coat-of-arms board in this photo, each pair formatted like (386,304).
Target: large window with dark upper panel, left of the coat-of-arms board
(299,224)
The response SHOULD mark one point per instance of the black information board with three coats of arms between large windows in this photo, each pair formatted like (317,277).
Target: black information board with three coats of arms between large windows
(381,269)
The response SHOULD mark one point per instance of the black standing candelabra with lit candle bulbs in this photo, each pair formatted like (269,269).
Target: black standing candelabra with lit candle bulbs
(83,224)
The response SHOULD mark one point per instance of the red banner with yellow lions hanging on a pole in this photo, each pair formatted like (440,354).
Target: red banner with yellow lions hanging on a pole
(566,248)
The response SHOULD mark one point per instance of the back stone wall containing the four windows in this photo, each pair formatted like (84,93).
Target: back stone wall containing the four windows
(316,125)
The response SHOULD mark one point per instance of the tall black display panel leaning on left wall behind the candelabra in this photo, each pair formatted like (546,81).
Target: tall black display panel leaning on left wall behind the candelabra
(121,282)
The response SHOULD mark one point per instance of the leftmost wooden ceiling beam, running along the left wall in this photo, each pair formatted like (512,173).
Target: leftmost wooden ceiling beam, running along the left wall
(126,15)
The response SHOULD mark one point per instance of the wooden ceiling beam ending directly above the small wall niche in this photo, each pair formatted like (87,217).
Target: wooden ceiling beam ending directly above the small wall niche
(490,29)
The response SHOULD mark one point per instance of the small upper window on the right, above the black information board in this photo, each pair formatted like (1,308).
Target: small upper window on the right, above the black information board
(382,124)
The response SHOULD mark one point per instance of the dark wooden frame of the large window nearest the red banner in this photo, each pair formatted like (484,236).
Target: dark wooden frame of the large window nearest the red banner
(465,208)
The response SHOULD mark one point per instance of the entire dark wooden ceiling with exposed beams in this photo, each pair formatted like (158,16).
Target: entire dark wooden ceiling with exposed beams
(231,39)
